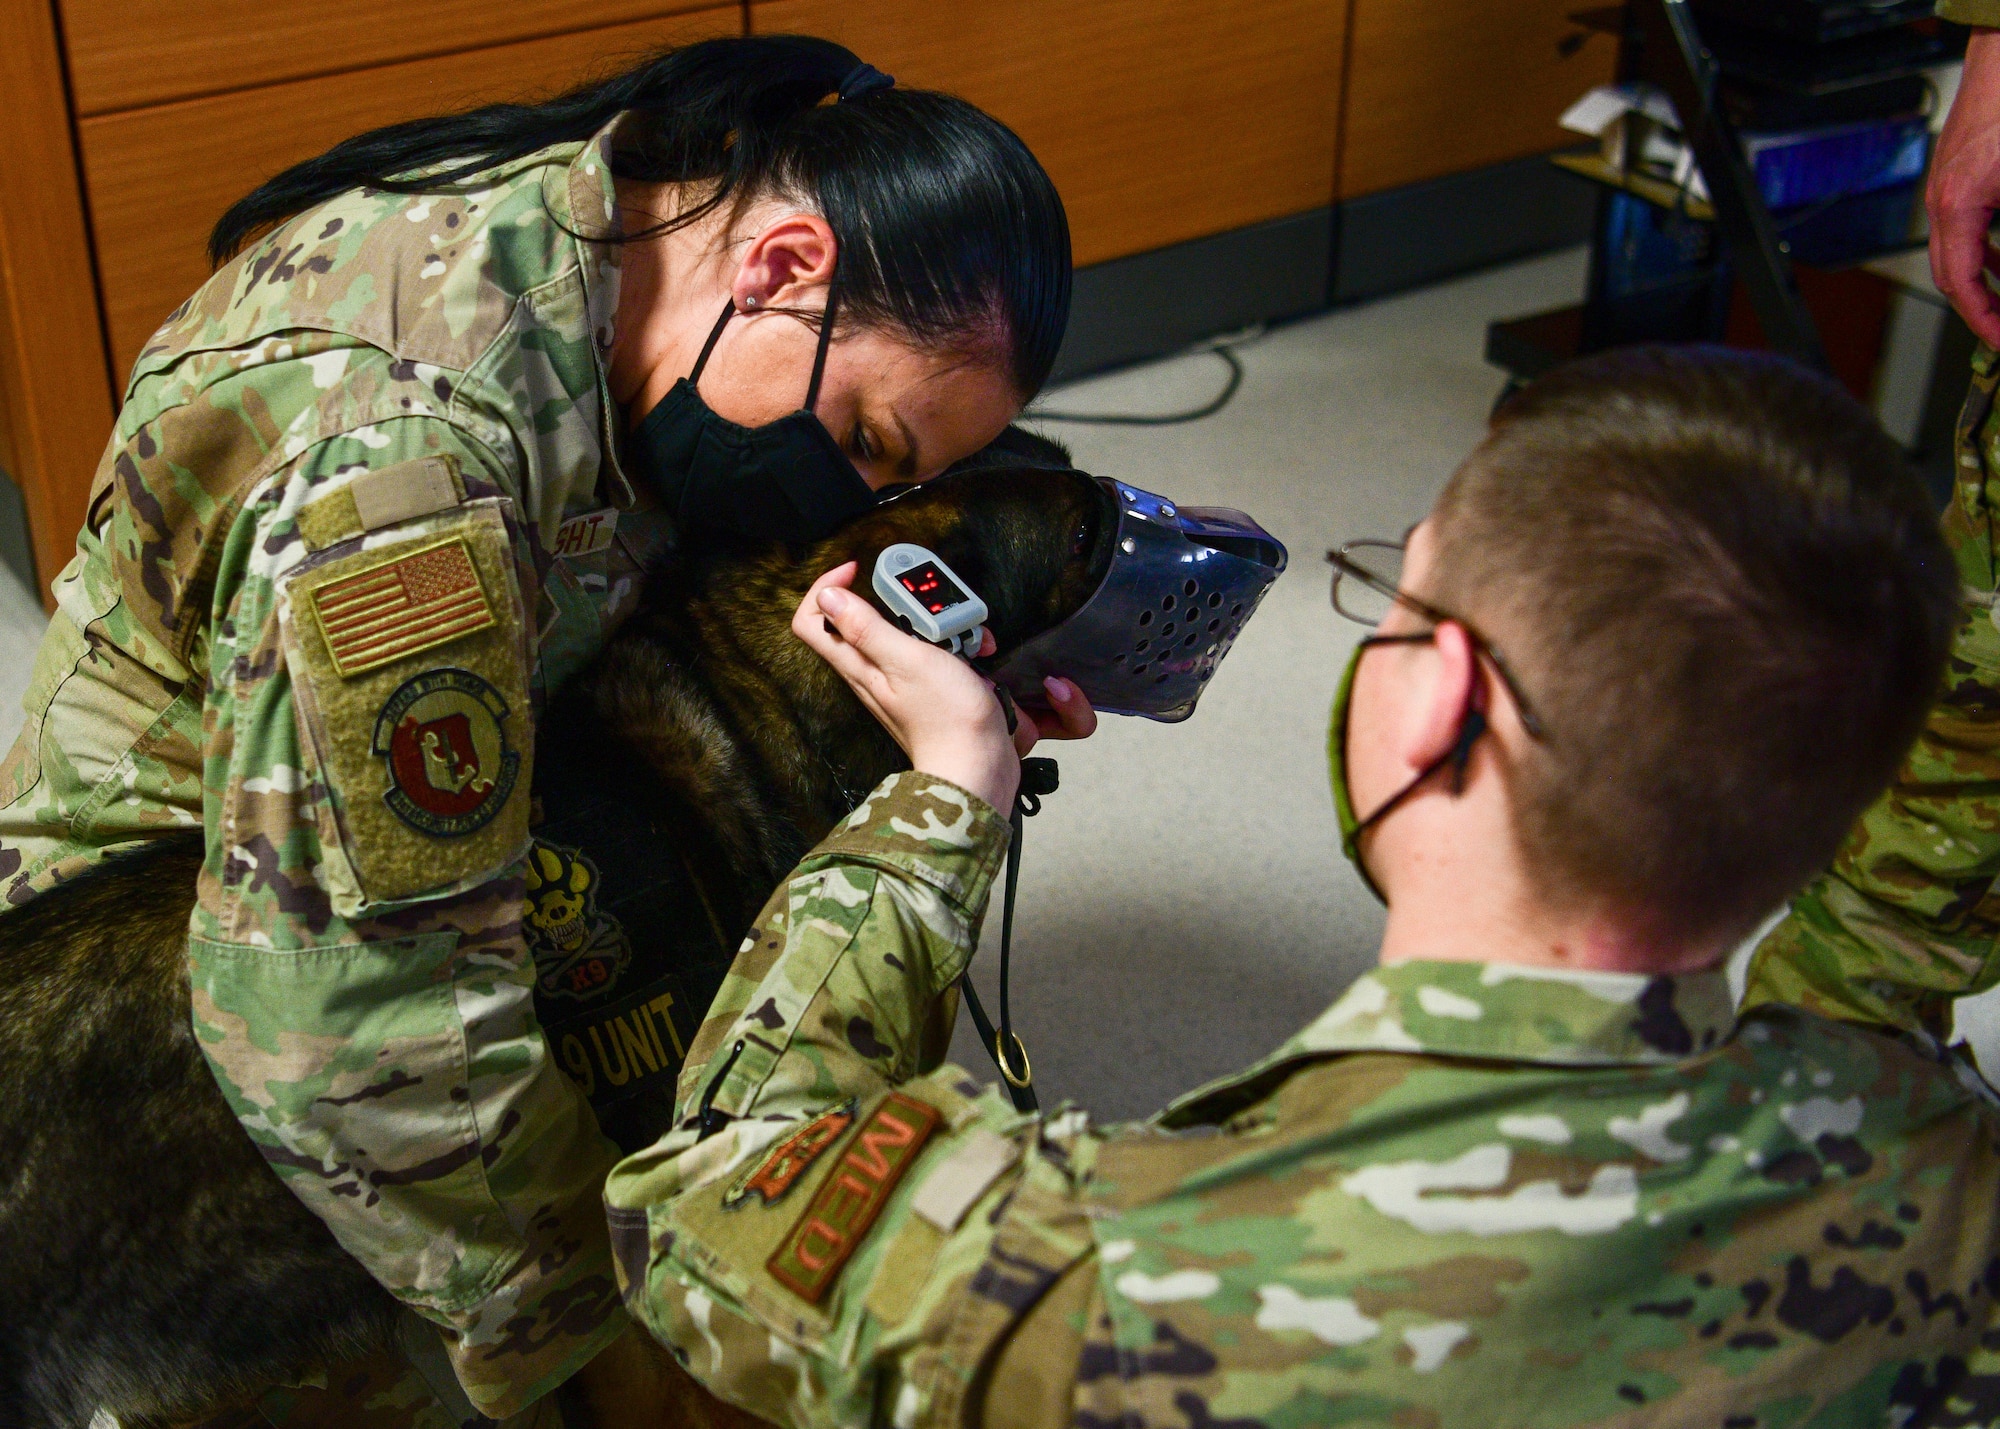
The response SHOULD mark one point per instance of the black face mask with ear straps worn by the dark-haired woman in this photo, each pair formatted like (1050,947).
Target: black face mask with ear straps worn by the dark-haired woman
(785,481)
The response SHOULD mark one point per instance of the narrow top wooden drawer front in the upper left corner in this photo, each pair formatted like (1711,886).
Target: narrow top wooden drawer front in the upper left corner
(129,53)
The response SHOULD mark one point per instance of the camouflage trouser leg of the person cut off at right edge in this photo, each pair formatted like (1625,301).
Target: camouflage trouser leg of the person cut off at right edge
(1907,918)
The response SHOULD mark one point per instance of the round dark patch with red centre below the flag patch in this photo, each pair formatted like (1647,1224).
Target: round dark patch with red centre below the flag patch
(449,762)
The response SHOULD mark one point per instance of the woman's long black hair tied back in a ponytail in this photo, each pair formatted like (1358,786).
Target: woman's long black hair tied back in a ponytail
(949,229)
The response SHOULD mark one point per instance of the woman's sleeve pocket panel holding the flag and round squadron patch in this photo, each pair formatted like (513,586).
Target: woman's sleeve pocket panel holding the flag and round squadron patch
(411,677)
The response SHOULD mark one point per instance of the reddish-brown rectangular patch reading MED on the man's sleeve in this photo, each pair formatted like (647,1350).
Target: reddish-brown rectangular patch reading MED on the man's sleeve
(849,1202)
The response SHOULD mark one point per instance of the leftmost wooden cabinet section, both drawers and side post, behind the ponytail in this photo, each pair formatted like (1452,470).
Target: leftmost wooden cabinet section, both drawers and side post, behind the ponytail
(135,125)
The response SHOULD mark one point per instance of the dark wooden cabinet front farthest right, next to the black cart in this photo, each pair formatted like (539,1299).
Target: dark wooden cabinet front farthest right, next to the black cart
(1439,89)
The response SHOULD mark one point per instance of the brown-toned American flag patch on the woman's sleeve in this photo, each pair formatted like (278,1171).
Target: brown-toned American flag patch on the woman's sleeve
(403,607)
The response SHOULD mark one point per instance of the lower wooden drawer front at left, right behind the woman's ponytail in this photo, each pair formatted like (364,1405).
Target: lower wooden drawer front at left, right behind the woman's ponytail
(161,177)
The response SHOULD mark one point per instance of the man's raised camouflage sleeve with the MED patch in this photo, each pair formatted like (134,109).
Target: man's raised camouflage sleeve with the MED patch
(863,1234)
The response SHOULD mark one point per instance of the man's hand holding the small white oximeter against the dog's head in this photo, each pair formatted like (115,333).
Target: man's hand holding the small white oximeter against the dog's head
(947,720)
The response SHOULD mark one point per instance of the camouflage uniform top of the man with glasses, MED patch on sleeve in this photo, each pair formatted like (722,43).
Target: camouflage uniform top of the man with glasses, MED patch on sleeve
(1463,1196)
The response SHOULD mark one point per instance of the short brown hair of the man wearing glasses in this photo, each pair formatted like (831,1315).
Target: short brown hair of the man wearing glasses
(1725,591)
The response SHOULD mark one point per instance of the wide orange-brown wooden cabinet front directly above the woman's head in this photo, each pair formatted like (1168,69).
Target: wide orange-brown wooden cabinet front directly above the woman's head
(1159,119)
